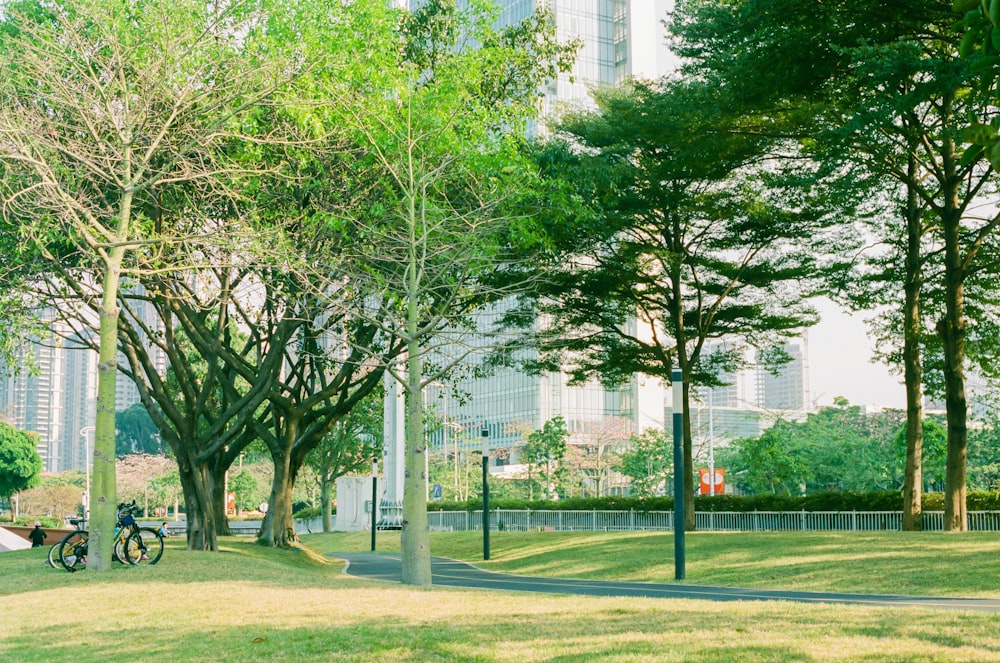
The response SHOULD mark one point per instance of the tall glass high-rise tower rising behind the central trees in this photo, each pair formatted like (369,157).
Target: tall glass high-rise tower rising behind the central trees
(619,39)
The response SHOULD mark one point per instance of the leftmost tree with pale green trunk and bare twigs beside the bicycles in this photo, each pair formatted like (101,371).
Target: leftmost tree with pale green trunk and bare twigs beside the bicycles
(116,126)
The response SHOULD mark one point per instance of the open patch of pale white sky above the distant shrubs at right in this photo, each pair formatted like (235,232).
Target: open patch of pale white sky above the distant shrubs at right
(840,362)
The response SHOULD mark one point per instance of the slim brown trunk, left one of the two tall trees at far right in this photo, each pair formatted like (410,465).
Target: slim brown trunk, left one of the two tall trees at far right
(912,367)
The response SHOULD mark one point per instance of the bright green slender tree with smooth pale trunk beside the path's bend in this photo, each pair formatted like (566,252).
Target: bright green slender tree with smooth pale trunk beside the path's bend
(439,138)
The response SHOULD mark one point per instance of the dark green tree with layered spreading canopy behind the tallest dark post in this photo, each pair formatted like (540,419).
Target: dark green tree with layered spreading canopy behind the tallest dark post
(684,238)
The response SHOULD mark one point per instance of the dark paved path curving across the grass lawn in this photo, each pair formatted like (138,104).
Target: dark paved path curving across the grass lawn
(453,573)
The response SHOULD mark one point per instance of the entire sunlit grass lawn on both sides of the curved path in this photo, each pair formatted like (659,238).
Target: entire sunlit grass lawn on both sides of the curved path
(250,603)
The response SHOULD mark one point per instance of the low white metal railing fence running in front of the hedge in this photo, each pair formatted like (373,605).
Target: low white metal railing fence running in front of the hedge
(728,521)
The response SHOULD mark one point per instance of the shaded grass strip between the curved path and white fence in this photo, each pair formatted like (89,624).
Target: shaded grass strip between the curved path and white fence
(911,563)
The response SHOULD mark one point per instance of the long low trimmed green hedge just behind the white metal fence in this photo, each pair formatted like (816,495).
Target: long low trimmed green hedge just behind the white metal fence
(833,501)
